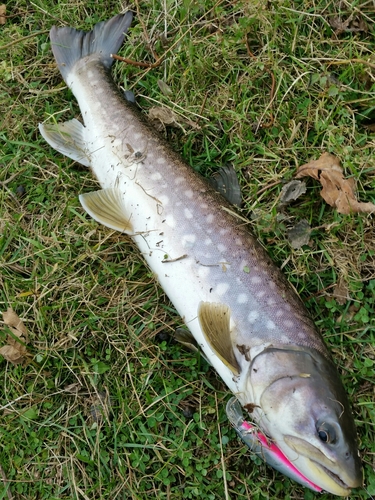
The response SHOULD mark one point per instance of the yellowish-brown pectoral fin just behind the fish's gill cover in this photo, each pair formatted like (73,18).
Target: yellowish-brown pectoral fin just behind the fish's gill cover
(215,322)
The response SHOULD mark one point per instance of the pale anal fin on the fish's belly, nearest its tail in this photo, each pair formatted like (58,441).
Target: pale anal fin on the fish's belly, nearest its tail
(67,138)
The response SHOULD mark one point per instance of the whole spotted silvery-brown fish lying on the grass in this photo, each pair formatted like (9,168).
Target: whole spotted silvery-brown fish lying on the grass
(243,314)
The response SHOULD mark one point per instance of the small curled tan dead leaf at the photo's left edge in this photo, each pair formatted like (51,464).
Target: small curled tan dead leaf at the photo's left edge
(15,351)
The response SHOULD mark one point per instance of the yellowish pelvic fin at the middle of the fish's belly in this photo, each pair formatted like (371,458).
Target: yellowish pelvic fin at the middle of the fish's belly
(107,207)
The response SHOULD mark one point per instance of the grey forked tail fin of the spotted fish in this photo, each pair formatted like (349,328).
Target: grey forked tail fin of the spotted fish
(70,45)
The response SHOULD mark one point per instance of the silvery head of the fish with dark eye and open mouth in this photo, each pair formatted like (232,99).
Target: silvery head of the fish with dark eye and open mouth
(305,411)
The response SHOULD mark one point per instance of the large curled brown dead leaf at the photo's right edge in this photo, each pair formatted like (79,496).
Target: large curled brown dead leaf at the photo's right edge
(336,191)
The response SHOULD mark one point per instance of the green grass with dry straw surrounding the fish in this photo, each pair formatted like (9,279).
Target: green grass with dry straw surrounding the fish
(110,407)
